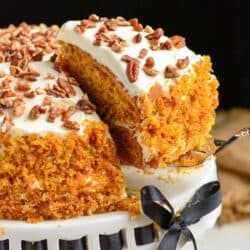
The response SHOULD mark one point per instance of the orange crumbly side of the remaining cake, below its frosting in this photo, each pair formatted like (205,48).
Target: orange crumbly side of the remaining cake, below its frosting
(53,177)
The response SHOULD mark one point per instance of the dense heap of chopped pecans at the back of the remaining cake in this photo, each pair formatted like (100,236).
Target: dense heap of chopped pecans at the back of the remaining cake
(23,43)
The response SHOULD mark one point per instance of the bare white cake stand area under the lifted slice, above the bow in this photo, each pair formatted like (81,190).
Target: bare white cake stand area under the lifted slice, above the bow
(177,186)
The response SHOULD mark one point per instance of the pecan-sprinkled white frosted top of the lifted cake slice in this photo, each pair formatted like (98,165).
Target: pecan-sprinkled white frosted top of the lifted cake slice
(139,57)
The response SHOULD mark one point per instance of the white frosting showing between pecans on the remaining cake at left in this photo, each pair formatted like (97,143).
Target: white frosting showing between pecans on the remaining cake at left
(24,125)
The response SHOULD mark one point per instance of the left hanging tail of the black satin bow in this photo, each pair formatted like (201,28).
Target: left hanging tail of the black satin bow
(170,239)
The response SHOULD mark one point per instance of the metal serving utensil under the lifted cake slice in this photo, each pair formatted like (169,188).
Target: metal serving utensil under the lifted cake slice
(221,145)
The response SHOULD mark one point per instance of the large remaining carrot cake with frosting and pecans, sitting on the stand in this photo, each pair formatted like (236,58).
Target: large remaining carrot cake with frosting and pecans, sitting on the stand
(57,159)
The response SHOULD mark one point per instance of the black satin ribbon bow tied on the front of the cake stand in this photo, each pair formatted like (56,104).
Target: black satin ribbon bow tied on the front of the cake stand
(158,208)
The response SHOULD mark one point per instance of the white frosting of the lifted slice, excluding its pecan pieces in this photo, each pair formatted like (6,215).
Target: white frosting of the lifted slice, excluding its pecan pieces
(106,56)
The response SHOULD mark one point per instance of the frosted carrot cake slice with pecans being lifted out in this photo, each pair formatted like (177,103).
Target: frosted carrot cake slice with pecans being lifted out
(158,97)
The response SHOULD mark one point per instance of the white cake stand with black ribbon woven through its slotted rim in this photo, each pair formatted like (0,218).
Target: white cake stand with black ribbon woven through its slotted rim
(95,232)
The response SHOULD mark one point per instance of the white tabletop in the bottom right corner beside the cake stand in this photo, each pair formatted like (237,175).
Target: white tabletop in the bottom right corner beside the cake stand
(234,236)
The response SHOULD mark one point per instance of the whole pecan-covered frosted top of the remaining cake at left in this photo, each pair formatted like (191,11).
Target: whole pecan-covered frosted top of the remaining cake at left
(34,97)
